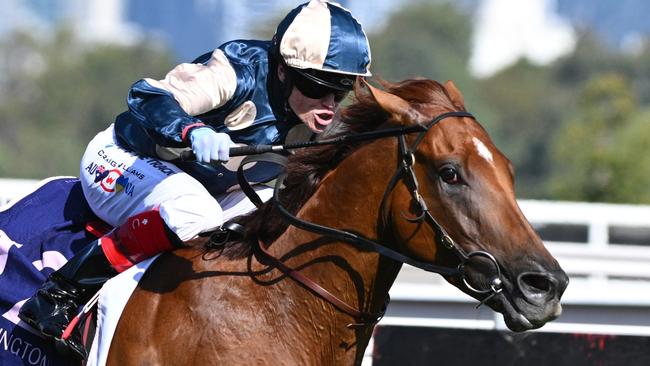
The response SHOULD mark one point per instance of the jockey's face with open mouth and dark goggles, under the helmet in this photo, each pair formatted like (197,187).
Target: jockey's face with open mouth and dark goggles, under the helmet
(315,111)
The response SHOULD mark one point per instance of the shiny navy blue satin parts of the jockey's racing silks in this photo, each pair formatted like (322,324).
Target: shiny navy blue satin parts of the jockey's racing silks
(155,117)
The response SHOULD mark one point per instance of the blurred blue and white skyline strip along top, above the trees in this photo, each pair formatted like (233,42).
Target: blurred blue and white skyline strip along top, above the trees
(191,27)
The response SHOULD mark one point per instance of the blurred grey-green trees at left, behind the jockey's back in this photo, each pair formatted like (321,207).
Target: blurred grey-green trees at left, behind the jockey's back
(61,93)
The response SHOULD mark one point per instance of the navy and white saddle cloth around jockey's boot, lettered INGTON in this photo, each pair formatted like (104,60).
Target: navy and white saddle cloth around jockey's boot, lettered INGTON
(38,234)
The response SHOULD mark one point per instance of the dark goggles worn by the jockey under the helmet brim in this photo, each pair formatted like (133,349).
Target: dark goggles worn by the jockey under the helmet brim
(315,85)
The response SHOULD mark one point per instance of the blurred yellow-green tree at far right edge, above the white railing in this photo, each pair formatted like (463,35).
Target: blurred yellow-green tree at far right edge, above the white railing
(600,153)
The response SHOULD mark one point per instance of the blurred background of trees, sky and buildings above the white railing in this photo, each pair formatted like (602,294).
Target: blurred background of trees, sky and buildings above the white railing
(563,86)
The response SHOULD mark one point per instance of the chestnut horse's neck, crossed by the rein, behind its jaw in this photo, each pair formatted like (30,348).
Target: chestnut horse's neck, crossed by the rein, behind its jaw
(349,198)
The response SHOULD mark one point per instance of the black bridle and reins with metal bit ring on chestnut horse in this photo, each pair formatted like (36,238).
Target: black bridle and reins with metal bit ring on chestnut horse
(406,173)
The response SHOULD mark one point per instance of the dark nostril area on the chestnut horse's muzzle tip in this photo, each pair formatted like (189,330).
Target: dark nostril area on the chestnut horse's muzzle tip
(541,287)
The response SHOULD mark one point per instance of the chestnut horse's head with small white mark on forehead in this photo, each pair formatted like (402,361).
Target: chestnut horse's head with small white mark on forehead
(462,185)
